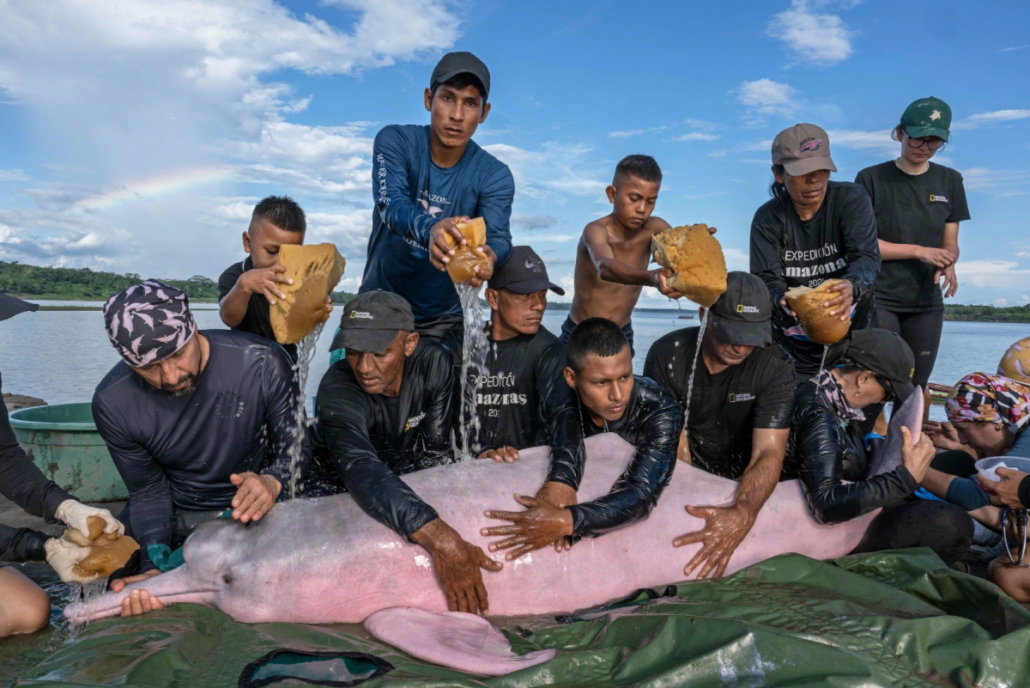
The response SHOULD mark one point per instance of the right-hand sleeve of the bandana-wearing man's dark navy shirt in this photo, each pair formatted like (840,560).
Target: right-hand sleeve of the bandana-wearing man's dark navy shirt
(282,407)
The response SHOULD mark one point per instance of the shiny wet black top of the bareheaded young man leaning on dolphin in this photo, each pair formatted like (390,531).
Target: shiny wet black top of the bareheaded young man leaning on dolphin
(653,423)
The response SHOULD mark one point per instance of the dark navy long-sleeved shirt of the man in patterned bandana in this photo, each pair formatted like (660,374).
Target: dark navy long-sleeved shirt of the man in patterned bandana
(177,454)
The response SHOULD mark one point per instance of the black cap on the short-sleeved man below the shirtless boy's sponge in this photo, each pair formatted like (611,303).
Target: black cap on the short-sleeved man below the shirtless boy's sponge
(743,316)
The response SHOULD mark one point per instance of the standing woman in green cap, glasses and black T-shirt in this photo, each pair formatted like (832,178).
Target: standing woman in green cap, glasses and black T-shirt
(919,205)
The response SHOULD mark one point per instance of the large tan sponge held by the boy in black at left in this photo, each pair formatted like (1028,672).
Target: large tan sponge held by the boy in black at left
(316,271)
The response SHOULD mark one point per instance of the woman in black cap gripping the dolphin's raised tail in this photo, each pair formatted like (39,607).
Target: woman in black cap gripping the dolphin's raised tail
(829,450)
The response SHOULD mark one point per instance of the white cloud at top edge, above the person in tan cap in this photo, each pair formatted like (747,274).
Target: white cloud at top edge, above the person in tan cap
(812,38)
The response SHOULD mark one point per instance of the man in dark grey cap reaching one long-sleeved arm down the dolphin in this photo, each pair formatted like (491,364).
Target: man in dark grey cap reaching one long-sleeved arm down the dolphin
(387,410)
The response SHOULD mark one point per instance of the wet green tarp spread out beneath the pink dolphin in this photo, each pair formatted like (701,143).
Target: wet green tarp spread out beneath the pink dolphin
(885,620)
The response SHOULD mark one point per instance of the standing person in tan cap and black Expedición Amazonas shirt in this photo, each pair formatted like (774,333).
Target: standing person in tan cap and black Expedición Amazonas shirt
(812,231)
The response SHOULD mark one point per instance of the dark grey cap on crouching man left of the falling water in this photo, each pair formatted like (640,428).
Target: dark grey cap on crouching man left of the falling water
(371,322)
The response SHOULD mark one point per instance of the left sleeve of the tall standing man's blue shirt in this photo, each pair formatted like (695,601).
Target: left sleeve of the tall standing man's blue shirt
(393,197)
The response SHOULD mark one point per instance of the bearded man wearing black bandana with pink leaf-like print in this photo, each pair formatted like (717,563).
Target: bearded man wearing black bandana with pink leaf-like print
(197,423)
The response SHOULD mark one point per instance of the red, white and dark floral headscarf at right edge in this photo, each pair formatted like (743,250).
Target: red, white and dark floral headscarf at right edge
(991,399)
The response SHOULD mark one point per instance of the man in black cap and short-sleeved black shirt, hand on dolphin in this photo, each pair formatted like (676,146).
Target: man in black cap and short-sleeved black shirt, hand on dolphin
(740,410)
